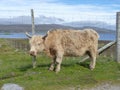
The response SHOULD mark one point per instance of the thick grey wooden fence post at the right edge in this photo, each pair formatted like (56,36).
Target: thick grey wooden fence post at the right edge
(118,37)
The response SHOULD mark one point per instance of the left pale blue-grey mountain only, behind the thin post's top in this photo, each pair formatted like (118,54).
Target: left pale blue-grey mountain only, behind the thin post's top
(27,20)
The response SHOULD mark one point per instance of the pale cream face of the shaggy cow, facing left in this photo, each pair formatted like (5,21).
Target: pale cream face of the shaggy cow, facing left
(36,44)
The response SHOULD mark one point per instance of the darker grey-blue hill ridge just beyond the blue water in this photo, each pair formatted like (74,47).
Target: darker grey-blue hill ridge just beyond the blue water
(17,28)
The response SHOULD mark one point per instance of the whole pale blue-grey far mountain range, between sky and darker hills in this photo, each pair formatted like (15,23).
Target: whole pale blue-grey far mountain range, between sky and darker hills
(53,20)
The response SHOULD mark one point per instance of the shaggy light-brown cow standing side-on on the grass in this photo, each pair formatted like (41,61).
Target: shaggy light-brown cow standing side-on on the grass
(58,43)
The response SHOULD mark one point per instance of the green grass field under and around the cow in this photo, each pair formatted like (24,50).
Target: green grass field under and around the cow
(16,67)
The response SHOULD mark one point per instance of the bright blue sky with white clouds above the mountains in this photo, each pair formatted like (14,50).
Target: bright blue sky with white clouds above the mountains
(69,10)
